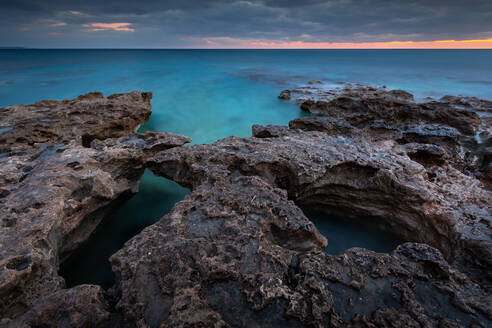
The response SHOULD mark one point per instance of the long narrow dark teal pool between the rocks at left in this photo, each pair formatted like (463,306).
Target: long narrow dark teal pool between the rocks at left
(89,264)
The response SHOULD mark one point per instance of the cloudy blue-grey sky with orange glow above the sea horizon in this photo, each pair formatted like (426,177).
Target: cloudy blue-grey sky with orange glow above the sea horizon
(246,24)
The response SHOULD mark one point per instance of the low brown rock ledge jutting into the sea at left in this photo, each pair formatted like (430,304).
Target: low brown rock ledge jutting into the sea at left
(90,116)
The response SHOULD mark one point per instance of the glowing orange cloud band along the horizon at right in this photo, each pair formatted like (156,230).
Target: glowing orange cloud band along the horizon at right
(278,44)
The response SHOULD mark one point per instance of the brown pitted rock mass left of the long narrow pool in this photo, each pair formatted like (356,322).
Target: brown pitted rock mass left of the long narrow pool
(65,166)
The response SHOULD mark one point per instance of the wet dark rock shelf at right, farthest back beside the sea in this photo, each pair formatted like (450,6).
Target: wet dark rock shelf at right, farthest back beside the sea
(462,126)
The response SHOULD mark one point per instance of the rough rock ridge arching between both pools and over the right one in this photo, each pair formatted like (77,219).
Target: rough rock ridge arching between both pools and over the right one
(352,176)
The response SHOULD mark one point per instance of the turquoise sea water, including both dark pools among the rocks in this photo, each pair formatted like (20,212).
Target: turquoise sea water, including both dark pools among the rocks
(211,94)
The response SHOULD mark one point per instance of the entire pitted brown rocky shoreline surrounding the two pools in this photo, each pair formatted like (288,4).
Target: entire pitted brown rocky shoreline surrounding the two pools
(239,251)
